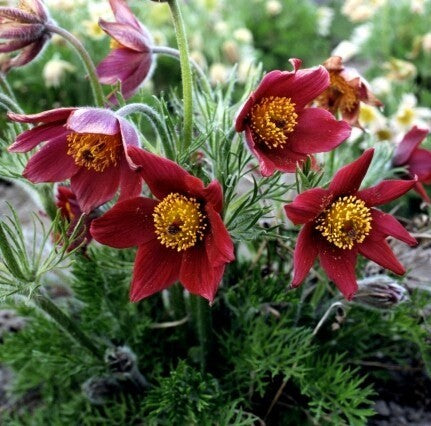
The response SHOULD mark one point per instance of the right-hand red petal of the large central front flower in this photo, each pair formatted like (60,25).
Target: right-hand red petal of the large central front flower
(218,243)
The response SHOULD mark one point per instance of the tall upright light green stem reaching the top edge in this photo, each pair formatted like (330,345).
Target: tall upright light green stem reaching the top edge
(186,72)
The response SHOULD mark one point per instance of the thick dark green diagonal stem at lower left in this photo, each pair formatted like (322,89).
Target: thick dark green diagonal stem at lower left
(67,324)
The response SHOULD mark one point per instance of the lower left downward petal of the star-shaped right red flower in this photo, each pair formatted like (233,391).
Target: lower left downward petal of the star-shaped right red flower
(305,254)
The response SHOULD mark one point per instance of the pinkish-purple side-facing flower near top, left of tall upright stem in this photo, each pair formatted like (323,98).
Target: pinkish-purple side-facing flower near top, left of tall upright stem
(130,60)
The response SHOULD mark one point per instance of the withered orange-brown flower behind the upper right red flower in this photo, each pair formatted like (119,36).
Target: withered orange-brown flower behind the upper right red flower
(346,91)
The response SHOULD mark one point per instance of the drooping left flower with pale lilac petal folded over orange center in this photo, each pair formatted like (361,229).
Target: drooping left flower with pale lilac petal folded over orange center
(87,145)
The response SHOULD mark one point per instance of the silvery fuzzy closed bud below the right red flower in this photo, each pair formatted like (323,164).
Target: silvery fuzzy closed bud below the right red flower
(380,291)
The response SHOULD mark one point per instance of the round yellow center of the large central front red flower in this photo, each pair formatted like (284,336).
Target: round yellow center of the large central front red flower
(179,222)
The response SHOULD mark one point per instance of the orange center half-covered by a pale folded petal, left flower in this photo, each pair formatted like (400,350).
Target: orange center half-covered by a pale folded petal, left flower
(94,151)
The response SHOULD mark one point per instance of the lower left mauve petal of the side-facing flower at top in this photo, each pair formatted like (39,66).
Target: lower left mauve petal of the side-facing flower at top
(118,65)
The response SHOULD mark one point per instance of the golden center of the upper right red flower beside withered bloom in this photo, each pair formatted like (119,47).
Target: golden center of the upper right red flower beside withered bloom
(272,119)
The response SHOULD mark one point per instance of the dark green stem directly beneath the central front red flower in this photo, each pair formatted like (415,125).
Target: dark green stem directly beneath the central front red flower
(201,318)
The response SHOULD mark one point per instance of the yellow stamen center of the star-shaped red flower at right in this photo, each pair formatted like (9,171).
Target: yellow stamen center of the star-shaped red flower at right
(345,222)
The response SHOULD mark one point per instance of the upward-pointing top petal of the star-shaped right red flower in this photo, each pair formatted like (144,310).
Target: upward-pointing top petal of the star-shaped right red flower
(349,178)
